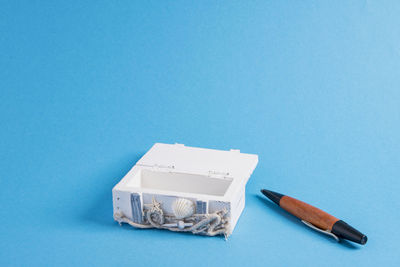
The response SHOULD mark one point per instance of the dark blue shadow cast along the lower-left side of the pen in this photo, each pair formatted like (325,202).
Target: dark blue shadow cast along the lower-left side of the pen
(282,212)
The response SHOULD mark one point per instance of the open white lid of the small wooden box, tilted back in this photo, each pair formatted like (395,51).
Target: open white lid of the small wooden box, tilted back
(210,162)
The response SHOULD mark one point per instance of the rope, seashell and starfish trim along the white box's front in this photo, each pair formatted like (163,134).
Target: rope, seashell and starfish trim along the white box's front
(183,220)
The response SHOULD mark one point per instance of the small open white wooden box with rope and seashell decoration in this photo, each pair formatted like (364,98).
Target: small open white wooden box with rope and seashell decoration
(185,189)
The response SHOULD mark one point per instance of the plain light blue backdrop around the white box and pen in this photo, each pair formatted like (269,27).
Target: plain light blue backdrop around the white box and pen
(313,88)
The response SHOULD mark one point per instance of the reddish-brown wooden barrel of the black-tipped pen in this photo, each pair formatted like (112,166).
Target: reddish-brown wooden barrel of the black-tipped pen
(308,213)
